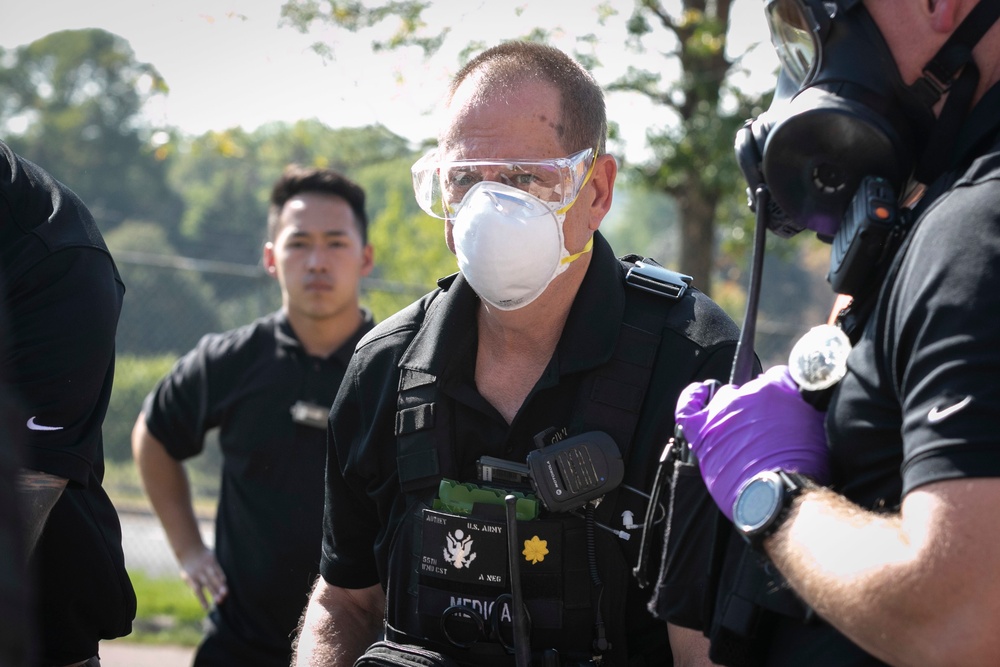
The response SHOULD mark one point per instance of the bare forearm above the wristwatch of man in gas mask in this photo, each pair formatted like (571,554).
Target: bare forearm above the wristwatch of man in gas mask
(898,585)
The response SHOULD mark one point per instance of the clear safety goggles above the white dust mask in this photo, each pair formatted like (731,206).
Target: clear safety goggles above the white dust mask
(441,185)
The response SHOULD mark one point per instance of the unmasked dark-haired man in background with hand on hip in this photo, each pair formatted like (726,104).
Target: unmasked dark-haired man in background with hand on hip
(268,387)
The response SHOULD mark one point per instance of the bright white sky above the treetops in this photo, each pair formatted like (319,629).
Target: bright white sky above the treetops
(228,63)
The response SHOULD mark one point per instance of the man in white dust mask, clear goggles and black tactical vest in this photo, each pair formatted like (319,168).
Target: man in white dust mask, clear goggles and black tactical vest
(543,343)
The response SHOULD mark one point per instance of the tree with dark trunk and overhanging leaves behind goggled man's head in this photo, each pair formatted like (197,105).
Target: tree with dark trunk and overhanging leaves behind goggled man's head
(693,156)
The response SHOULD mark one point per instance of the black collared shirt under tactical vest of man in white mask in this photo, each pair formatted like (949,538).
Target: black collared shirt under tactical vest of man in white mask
(363,487)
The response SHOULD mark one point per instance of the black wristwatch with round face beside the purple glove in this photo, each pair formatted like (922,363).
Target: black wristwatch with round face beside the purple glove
(763,503)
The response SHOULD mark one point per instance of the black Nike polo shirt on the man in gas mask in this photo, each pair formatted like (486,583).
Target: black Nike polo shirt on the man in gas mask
(920,400)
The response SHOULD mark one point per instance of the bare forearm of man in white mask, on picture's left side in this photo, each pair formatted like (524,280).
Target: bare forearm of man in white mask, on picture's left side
(338,626)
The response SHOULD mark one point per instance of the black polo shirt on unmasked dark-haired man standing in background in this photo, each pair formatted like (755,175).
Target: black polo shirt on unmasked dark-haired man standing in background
(269,521)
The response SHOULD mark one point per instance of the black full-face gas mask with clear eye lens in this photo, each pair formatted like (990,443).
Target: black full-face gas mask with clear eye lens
(841,112)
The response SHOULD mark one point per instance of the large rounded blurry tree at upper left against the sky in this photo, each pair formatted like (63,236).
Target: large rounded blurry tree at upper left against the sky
(71,102)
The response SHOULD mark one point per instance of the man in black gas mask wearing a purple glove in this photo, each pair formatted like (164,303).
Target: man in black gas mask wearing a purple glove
(879,508)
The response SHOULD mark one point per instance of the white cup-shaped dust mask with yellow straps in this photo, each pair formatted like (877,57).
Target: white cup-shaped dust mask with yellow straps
(509,244)
